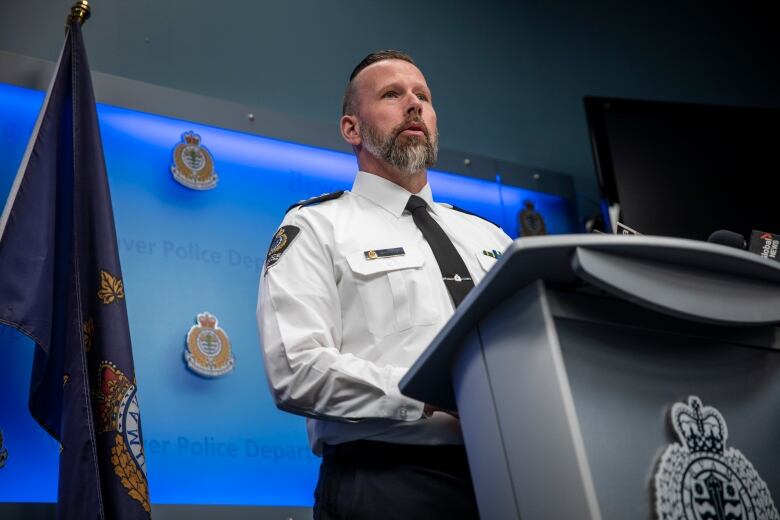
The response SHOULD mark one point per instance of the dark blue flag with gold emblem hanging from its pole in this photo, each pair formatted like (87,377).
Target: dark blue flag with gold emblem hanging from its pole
(61,284)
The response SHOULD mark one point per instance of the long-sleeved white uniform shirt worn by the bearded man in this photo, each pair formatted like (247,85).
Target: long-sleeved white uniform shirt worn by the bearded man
(340,330)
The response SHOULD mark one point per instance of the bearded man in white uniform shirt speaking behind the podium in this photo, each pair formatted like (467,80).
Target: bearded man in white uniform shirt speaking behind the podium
(356,285)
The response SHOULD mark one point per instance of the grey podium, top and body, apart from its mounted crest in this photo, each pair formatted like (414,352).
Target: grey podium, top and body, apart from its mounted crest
(565,361)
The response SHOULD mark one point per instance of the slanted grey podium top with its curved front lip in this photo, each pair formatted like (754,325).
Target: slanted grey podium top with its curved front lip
(686,279)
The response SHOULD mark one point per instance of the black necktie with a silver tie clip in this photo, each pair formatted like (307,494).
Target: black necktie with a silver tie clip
(454,273)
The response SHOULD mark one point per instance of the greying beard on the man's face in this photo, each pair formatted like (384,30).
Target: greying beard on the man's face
(410,155)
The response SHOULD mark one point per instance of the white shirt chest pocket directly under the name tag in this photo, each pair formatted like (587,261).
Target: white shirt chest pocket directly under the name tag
(394,291)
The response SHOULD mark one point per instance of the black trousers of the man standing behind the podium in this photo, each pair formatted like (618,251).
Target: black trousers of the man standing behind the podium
(368,480)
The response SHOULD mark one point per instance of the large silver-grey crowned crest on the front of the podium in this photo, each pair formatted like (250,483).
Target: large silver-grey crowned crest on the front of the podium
(701,479)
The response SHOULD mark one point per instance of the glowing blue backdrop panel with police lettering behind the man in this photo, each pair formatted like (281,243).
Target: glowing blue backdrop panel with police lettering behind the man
(183,252)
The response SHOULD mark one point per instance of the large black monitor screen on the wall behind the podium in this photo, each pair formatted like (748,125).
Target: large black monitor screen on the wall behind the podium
(687,170)
